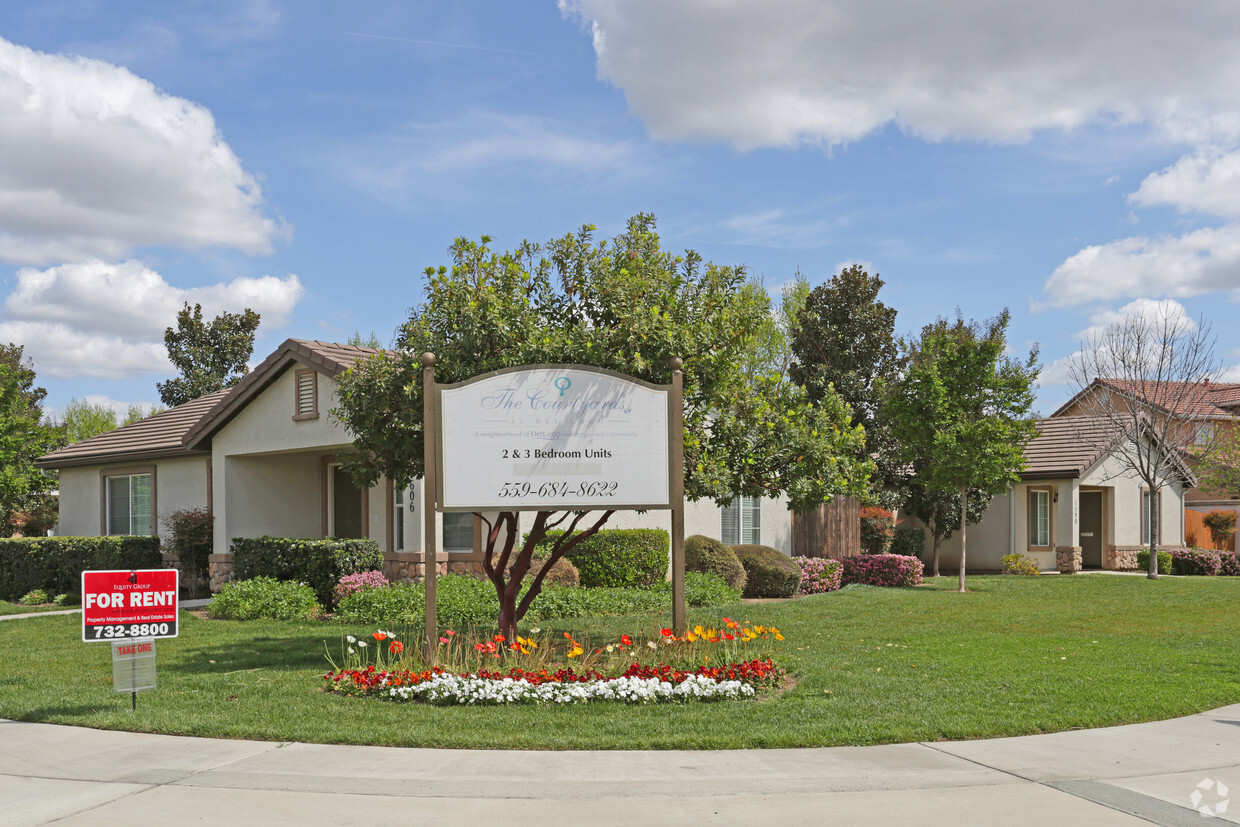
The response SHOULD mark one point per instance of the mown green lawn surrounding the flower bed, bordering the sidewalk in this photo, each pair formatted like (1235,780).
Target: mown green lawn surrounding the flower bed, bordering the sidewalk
(1014,657)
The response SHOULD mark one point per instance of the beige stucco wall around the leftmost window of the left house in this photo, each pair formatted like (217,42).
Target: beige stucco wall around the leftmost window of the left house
(179,484)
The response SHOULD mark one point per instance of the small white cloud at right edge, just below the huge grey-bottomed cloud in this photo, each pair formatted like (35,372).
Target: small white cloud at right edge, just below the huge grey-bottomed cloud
(1207,182)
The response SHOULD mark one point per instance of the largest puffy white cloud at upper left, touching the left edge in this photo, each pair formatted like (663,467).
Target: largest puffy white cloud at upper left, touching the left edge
(97,162)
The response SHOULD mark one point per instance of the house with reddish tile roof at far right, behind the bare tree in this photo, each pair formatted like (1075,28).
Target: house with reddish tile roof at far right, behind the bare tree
(1210,410)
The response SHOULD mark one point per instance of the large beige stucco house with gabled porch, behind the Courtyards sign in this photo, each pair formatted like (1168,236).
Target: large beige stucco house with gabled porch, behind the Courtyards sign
(263,458)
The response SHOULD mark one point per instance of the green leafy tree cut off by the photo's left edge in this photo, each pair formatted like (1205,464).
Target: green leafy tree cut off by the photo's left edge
(25,492)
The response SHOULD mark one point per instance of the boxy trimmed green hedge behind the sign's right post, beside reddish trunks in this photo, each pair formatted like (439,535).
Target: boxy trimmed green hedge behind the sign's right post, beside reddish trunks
(617,557)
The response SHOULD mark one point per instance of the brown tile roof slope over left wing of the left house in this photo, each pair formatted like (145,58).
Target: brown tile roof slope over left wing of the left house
(152,438)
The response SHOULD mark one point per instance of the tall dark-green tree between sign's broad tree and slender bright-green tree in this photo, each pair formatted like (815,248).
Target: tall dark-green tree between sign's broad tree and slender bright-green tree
(845,342)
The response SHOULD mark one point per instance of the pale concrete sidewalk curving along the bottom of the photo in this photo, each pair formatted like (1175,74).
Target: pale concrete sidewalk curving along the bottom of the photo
(1122,776)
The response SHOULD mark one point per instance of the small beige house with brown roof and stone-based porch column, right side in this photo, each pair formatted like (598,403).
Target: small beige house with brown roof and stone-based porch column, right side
(1074,506)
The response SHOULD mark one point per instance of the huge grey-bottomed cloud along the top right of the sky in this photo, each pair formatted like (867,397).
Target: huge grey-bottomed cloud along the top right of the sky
(814,71)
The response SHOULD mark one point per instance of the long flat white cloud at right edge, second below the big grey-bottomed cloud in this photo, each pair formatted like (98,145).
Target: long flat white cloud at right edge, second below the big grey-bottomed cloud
(1203,261)
